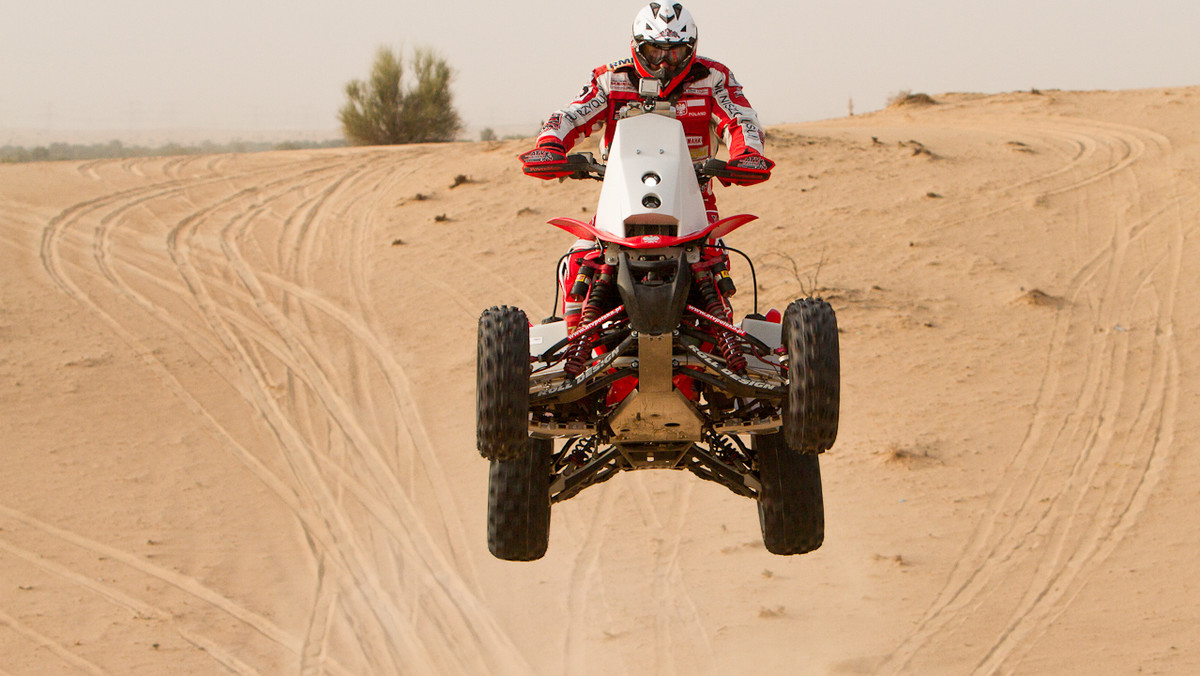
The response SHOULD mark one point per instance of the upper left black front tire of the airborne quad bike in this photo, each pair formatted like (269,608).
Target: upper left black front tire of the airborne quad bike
(502,384)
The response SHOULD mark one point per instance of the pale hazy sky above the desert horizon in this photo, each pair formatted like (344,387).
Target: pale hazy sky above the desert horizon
(275,65)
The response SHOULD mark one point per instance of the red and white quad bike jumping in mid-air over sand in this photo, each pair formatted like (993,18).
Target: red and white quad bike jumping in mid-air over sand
(655,374)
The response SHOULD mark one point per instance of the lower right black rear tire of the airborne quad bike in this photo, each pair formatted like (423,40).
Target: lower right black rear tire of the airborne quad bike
(791,507)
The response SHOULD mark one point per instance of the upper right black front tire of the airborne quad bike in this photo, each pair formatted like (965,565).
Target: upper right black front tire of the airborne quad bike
(812,410)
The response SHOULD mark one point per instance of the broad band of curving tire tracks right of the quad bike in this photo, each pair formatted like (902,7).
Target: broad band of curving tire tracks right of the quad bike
(1034,534)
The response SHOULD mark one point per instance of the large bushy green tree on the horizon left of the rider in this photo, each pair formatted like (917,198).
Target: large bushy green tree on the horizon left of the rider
(382,112)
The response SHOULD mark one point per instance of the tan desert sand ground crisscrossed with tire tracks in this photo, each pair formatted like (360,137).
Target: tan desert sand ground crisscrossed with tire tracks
(238,412)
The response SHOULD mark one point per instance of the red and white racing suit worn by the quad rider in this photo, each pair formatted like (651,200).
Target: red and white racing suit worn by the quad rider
(709,101)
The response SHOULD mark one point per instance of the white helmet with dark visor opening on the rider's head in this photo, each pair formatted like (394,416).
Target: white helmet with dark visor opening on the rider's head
(664,44)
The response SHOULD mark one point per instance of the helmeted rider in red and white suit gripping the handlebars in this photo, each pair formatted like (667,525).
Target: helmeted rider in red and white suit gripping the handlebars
(664,65)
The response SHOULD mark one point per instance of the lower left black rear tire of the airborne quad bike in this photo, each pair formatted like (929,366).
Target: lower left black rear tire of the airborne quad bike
(519,505)
